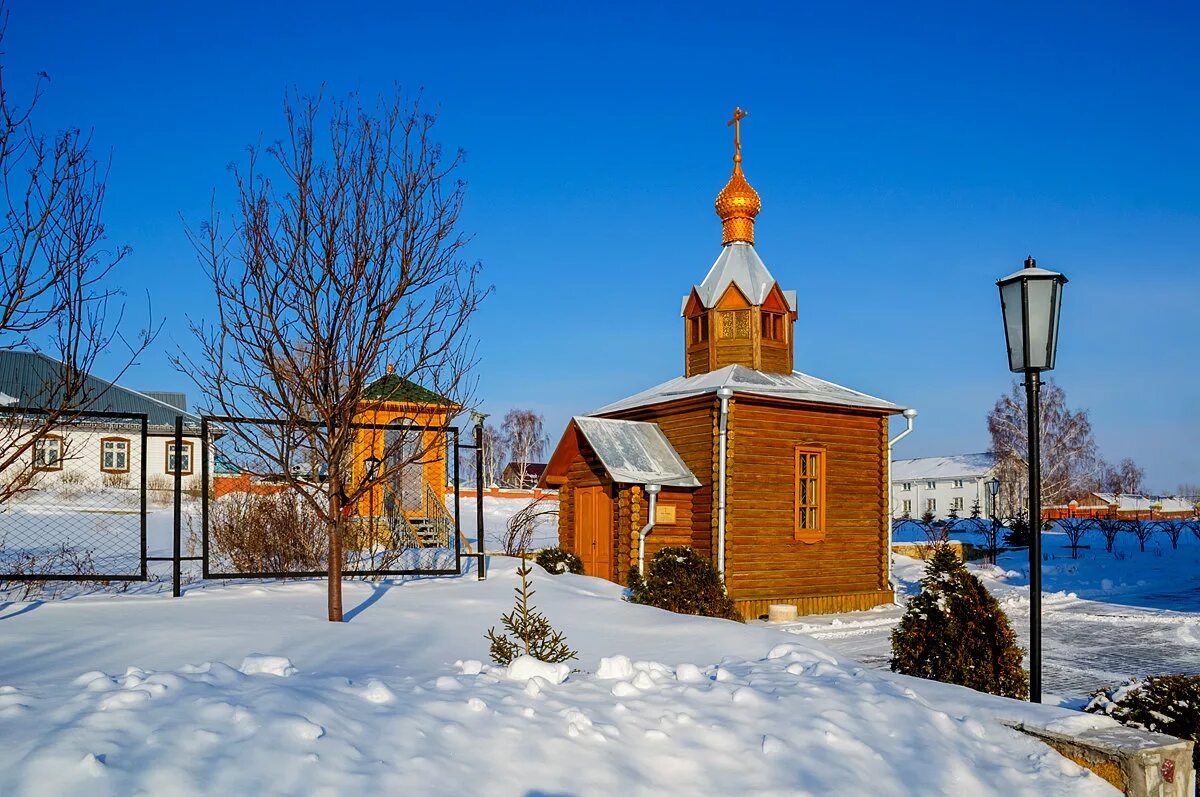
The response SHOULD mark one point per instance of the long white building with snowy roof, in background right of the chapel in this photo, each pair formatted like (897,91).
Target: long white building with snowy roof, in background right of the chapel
(941,486)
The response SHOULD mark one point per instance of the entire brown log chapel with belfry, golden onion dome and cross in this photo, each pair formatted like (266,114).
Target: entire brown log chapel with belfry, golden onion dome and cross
(777,477)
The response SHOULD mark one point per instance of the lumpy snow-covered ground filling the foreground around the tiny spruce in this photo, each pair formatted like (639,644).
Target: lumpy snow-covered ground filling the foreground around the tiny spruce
(247,690)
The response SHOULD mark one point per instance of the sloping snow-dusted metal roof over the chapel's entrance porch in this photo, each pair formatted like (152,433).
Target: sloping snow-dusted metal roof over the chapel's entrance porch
(635,453)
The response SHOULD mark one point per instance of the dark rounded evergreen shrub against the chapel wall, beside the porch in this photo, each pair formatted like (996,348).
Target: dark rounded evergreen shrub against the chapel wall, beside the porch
(681,580)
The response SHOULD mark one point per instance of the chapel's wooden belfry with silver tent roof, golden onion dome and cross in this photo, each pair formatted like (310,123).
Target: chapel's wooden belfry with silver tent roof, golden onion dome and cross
(739,315)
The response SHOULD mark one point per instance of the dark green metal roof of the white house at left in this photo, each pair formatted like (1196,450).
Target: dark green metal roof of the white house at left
(31,377)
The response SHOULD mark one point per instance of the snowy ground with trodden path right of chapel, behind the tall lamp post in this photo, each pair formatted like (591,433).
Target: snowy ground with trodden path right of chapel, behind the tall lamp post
(1106,618)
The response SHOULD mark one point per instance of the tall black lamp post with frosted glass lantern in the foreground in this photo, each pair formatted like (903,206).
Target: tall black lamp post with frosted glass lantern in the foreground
(1031,303)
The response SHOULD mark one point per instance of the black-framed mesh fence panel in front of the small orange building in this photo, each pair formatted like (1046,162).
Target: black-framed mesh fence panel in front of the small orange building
(267,494)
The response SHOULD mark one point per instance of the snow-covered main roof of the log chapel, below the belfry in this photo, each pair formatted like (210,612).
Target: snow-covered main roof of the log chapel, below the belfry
(794,387)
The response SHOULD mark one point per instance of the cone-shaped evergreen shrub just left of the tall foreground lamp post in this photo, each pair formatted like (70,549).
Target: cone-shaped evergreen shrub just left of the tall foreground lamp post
(957,633)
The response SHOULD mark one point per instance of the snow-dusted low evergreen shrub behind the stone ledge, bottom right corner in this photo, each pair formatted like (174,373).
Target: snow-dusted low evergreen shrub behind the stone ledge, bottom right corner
(1161,704)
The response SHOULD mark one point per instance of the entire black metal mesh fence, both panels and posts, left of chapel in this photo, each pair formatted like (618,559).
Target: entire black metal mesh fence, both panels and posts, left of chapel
(97,502)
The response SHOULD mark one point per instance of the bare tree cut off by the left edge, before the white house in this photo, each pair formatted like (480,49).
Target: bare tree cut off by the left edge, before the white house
(56,268)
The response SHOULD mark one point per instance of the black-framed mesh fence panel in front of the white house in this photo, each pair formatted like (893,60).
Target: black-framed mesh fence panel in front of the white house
(75,500)
